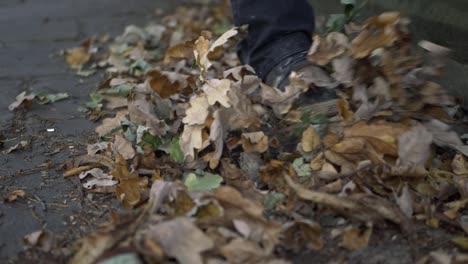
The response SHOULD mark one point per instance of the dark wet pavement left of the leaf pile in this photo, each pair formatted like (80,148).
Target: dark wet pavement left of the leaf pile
(32,33)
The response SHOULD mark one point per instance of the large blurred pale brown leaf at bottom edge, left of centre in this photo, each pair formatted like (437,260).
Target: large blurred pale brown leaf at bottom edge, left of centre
(181,239)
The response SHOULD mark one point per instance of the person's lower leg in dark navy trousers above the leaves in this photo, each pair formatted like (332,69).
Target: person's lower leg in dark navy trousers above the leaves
(280,32)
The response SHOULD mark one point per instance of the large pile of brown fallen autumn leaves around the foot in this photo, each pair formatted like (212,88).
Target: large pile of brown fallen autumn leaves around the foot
(222,168)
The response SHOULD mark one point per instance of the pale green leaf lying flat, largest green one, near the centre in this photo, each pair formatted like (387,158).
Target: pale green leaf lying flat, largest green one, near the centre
(202,181)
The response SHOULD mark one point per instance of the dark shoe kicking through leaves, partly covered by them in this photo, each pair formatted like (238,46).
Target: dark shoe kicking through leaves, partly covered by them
(320,98)
